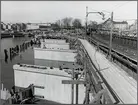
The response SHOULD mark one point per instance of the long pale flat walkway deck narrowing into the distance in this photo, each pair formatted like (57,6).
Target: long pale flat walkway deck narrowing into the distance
(124,86)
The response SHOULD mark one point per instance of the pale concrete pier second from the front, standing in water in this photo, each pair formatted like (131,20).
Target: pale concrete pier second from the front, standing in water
(62,55)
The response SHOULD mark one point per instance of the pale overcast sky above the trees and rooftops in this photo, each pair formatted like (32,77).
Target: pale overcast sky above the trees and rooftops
(50,11)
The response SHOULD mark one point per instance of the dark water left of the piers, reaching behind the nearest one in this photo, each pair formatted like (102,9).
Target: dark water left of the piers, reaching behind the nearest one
(7,73)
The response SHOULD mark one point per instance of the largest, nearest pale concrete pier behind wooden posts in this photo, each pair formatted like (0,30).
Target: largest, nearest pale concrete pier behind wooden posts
(50,79)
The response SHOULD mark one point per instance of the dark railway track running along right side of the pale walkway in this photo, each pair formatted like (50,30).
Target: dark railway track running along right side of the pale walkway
(124,60)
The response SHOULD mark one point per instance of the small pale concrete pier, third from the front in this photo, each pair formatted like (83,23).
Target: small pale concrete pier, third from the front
(55,46)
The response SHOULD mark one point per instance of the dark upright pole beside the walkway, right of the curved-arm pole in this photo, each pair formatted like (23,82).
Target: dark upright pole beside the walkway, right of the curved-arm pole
(111,32)
